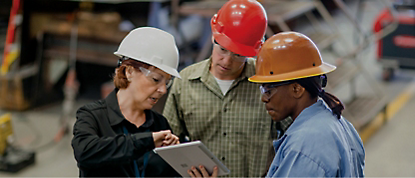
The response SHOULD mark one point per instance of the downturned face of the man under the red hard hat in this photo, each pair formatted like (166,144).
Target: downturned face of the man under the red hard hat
(225,64)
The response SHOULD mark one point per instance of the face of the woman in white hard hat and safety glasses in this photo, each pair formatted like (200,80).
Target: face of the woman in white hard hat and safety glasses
(147,86)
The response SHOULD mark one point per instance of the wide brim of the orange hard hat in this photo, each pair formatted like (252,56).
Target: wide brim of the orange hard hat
(324,68)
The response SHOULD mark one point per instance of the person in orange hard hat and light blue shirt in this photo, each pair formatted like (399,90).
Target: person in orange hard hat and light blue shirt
(320,142)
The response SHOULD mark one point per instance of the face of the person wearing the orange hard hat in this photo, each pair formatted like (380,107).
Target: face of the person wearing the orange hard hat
(277,100)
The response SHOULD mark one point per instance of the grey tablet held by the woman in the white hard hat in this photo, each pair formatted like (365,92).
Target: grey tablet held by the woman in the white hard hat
(183,156)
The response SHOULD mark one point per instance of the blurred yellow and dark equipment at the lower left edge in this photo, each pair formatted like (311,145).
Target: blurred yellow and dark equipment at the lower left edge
(11,158)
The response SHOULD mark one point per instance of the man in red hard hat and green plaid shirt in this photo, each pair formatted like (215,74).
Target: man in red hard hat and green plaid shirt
(214,102)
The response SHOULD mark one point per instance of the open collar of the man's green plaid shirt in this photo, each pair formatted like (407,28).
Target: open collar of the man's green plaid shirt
(248,71)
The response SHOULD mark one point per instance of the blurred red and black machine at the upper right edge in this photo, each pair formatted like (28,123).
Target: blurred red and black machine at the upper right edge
(397,49)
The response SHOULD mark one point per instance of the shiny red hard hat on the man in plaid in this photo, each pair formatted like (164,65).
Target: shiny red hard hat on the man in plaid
(239,26)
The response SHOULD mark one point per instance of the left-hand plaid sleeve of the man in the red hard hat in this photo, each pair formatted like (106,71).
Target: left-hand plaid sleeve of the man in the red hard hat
(172,111)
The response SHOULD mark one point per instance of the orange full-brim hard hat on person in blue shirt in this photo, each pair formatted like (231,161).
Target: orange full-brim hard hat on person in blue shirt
(289,56)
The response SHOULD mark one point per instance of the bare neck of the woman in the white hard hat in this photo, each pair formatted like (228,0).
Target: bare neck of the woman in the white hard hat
(133,114)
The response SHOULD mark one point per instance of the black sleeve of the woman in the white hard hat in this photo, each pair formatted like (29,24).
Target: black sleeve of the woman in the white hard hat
(92,151)
